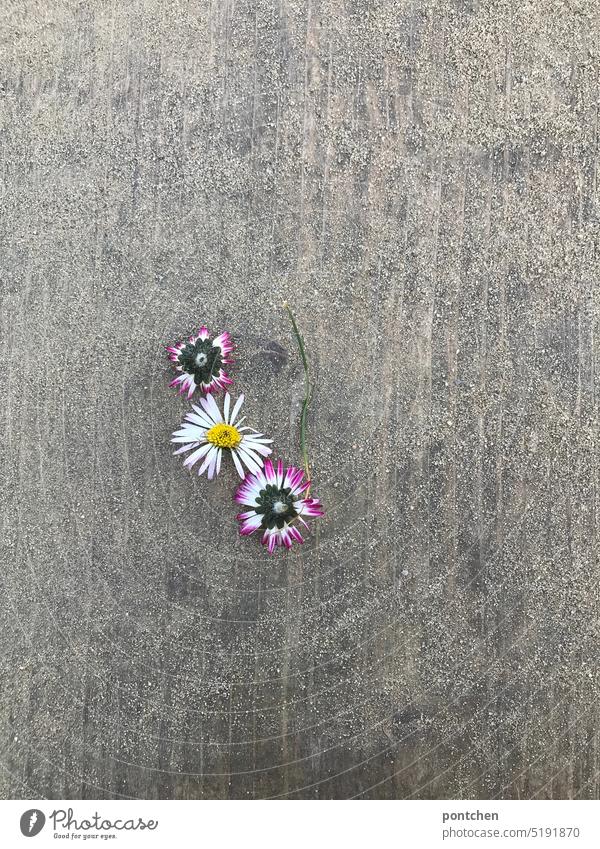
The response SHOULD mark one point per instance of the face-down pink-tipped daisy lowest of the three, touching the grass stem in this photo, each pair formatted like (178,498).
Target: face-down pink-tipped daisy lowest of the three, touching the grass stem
(275,497)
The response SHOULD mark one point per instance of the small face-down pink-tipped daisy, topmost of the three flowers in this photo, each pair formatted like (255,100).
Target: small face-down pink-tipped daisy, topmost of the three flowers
(200,360)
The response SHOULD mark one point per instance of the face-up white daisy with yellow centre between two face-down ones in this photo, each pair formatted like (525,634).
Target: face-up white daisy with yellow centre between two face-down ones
(211,432)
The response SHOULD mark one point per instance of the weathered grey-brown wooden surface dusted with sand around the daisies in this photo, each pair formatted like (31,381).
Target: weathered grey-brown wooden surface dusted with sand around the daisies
(419,180)
